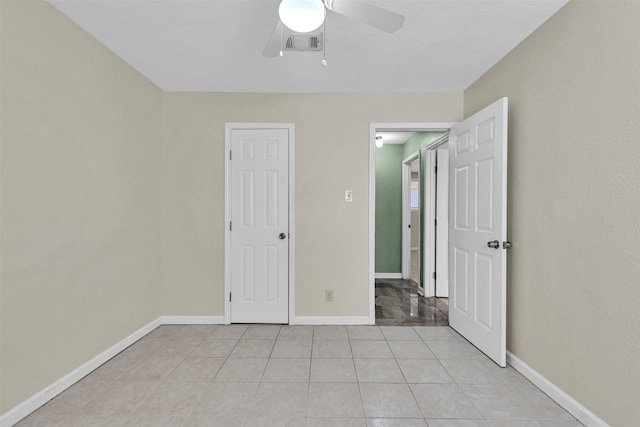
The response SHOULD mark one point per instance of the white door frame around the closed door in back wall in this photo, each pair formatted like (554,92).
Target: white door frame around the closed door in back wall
(228,127)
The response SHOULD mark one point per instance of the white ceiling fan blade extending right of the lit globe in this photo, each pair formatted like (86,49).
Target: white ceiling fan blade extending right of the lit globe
(362,11)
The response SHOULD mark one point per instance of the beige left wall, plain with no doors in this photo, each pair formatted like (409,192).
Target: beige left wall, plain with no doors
(80,199)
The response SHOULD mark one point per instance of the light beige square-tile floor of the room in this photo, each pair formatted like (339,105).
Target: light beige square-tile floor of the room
(266,375)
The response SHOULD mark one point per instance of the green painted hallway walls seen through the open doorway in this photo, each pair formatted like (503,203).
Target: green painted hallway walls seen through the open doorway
(389,199)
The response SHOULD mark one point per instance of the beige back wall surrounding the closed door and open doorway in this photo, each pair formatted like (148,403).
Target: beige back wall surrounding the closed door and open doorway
(331,155)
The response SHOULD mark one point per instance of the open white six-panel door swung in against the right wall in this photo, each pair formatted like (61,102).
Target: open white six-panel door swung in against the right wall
(478,229)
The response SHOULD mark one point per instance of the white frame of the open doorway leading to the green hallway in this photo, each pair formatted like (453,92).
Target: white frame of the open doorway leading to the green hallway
(381,127)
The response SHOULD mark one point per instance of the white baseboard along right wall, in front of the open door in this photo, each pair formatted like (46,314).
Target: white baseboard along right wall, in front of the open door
(583,415)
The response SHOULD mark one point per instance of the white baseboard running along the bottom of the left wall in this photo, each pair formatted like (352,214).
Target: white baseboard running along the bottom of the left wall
(23,409)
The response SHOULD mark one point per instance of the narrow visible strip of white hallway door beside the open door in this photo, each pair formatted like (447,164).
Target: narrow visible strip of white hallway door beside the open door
(442,225)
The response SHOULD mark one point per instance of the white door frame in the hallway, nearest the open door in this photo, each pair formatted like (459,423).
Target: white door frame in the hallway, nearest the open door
(430,215)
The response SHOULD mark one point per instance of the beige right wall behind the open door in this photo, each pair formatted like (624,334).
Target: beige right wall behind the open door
(574,202)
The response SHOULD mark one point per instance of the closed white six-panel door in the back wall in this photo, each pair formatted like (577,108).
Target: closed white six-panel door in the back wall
(259,226)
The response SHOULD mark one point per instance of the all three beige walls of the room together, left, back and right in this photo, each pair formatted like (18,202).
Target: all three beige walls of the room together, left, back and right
(86,241)
